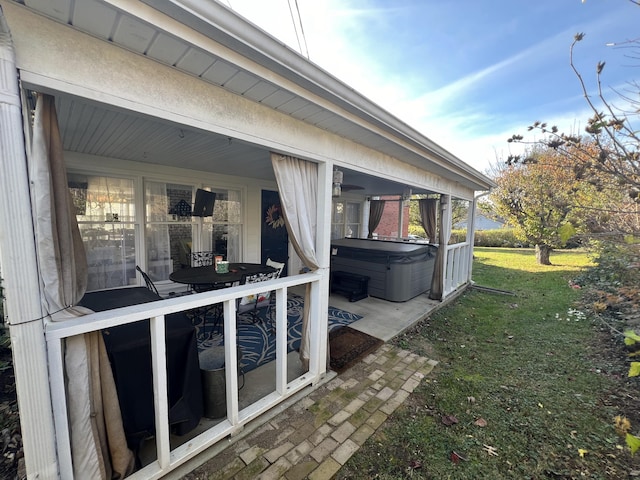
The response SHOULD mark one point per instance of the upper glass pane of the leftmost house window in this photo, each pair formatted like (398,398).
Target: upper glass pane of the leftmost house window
(102,199)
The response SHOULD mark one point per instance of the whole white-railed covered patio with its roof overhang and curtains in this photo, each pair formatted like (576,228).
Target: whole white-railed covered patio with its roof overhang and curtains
(155,101)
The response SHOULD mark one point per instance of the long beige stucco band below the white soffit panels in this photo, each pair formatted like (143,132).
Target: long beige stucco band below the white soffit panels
(53,58)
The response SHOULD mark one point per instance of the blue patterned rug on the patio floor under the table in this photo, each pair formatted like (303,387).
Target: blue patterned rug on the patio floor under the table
(257,338)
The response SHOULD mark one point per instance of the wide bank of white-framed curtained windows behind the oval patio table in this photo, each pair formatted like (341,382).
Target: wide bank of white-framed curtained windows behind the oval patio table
(113,231)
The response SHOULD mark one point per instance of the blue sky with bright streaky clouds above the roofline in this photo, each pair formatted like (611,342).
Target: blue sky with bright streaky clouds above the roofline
(467,74)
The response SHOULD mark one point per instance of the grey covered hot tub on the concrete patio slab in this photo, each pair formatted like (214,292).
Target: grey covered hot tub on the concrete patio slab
(397,271)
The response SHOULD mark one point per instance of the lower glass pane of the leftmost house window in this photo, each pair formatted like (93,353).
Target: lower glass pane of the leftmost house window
(110,251)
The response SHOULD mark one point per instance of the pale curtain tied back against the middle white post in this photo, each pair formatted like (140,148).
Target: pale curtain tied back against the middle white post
(298,188)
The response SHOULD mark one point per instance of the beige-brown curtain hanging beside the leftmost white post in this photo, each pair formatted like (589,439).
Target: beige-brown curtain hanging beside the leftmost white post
(94,413)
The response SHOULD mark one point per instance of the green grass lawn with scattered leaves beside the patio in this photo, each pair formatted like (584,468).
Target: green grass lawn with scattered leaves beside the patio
(527,385)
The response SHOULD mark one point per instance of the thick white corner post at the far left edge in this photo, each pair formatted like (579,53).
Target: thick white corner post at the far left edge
(20,277)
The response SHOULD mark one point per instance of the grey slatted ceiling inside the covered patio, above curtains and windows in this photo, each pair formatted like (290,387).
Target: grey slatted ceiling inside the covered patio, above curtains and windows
(92,129)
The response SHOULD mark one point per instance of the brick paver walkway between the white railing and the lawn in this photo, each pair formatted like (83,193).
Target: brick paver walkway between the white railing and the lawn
(314,437)
